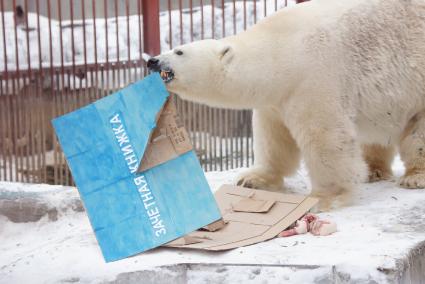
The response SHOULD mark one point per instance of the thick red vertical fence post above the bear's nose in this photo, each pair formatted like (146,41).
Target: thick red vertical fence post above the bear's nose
(151,36)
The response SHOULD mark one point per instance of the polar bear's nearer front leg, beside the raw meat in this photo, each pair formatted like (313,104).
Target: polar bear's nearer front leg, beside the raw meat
(327,139)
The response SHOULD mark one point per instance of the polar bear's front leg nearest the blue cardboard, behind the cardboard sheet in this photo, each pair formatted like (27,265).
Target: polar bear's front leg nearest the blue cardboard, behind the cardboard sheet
(276,153)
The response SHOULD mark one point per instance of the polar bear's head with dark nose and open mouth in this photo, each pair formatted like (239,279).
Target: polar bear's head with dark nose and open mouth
(202,72)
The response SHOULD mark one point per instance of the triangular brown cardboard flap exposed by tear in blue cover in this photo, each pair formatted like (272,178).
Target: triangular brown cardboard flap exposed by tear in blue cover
(168,140)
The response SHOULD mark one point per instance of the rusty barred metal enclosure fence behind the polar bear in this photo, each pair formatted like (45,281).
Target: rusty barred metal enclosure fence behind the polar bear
(57,56)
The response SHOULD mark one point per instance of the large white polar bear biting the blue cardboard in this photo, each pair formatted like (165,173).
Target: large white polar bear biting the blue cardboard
(339,83)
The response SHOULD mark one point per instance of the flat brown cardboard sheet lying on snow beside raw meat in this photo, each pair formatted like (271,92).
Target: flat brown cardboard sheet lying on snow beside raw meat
(259,216)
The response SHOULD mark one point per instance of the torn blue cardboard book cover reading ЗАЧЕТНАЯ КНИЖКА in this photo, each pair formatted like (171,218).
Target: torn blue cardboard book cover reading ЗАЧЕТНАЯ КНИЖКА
(135,201)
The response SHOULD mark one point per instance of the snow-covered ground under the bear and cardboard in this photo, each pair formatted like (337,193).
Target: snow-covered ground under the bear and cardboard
(380,239)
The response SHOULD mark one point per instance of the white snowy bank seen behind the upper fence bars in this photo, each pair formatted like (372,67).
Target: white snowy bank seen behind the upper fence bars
(243,14)
